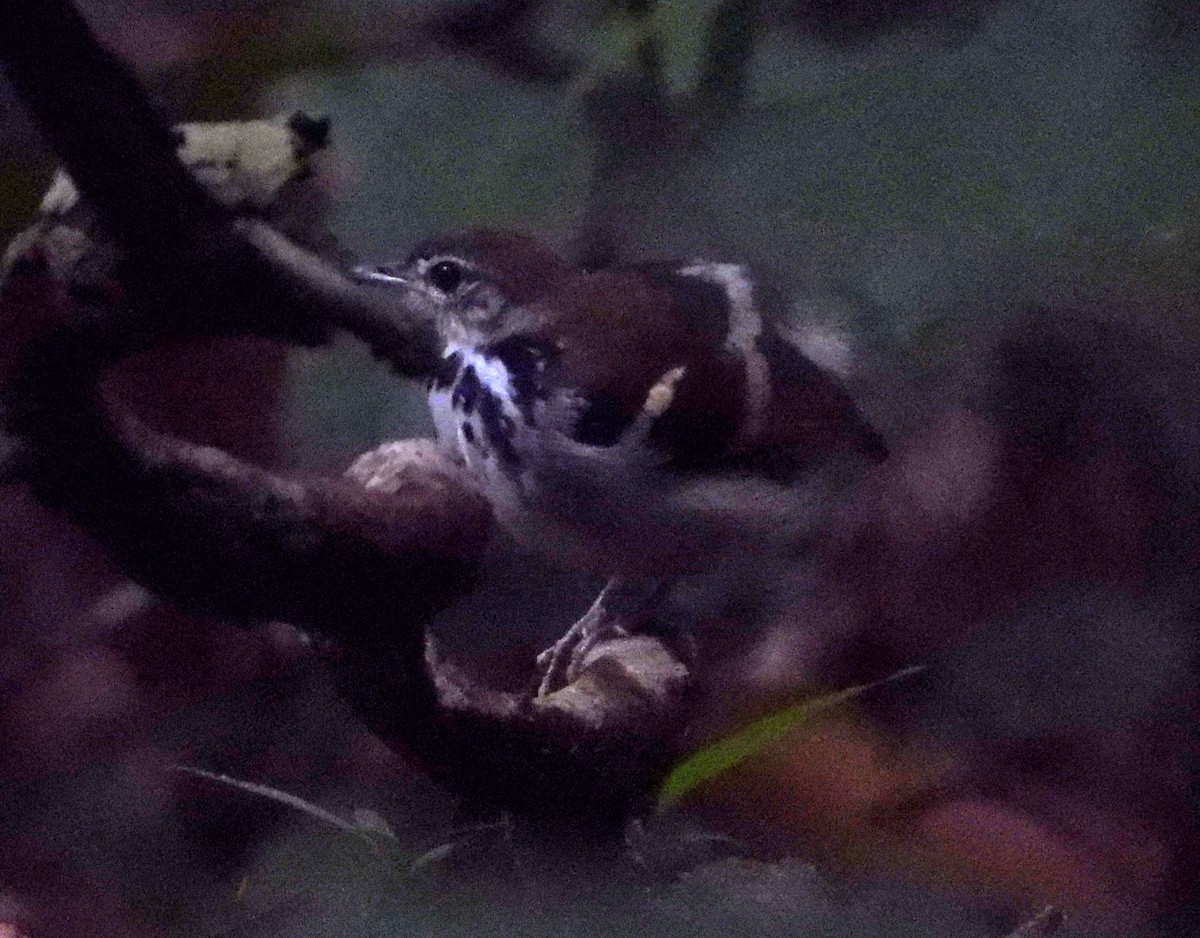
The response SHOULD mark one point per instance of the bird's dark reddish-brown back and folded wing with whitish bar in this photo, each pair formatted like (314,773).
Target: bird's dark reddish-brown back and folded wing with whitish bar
(688,356)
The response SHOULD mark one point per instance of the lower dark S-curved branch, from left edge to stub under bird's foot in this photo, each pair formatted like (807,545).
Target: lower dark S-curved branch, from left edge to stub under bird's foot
(365,561)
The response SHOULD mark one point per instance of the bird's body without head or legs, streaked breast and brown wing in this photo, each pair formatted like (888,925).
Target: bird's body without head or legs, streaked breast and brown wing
(651,417)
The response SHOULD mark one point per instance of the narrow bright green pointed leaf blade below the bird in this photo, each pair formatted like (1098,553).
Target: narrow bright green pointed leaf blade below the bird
(728,754)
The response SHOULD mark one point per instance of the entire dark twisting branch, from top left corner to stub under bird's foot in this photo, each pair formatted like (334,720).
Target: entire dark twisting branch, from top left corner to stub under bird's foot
(365,561)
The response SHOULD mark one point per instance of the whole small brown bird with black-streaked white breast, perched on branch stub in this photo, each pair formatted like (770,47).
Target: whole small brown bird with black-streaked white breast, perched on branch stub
(644,423)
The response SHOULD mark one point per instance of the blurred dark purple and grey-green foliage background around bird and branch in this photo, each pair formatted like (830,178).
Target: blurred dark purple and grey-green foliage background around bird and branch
(921,173)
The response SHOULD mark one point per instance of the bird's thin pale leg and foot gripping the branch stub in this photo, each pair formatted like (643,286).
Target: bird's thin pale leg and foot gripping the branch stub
(620,610)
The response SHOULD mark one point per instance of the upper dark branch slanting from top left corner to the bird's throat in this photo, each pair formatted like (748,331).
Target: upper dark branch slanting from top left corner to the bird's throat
(185,254)
